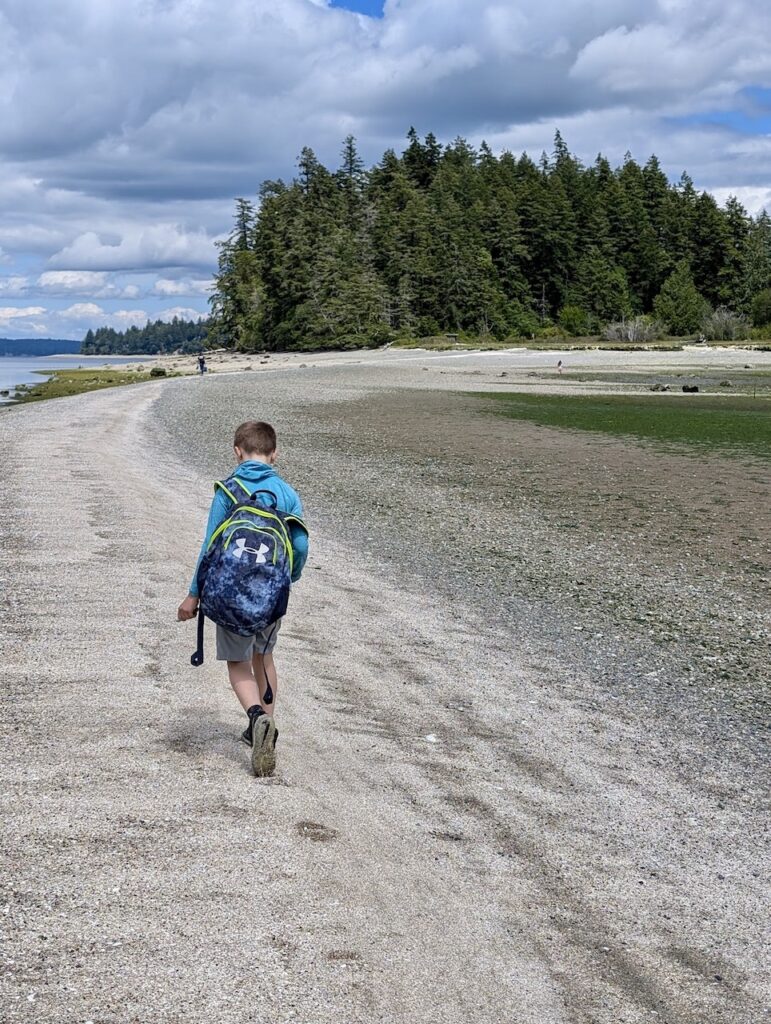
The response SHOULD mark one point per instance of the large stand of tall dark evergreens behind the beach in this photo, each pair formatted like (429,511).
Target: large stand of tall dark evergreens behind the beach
(458,240)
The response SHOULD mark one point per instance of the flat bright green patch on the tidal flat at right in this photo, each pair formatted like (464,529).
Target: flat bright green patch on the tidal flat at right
(727,424)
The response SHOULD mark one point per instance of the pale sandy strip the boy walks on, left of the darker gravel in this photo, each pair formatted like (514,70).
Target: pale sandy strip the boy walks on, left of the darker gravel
(524,859)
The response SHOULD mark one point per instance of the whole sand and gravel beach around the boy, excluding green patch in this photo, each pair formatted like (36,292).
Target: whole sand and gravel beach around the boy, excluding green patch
(523,773)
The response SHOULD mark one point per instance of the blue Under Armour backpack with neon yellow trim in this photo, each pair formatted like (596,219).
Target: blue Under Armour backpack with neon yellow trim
(245,576)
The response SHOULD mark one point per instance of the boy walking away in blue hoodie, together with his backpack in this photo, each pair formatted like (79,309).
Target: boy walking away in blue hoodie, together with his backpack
(256,546)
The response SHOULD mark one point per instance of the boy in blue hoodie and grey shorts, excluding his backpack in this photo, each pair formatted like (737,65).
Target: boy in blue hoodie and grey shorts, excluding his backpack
(250,660)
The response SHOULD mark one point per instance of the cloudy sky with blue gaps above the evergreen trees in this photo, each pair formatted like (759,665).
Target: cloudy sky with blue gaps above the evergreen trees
(127,127)
